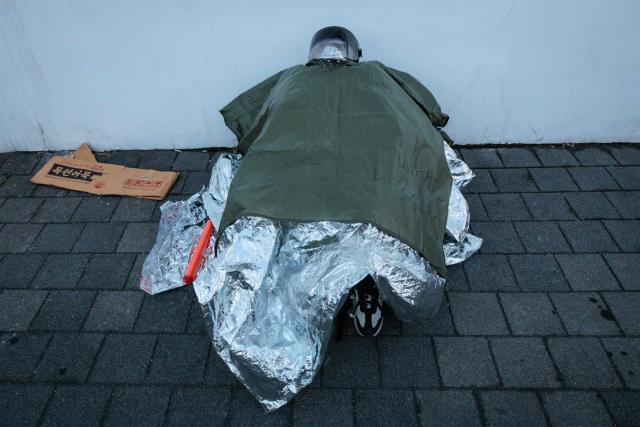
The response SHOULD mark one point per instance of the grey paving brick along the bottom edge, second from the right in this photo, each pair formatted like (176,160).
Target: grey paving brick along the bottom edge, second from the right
(575,408)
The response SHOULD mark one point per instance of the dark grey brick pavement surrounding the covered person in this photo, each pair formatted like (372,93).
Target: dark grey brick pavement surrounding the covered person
(541,327)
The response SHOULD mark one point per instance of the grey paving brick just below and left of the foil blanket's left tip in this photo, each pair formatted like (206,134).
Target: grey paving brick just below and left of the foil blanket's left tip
(114,311)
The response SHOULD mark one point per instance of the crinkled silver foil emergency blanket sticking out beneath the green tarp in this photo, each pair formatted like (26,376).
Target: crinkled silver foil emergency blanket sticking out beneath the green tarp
(274,288)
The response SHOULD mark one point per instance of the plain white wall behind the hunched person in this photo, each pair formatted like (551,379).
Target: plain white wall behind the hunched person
(153,74)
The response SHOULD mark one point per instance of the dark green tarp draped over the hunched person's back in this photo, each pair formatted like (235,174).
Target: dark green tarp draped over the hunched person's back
(351,143)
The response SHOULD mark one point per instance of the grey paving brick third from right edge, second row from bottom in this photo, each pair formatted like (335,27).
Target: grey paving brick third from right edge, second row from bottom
(524,362)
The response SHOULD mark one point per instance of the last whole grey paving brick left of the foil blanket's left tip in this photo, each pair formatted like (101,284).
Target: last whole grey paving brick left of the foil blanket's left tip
(107,271)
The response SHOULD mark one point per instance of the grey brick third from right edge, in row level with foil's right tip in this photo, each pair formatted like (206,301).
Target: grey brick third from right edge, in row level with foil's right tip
(538,273)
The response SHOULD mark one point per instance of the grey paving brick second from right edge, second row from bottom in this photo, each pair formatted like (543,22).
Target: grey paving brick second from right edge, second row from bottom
(583,363)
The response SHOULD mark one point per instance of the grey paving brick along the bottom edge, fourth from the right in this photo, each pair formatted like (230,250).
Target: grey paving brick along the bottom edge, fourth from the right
(447,408)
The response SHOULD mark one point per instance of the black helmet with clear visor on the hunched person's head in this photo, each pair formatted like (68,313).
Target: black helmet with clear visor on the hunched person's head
(335,44)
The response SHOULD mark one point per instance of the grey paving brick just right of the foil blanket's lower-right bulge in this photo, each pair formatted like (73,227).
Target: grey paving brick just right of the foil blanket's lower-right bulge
(477,314)
